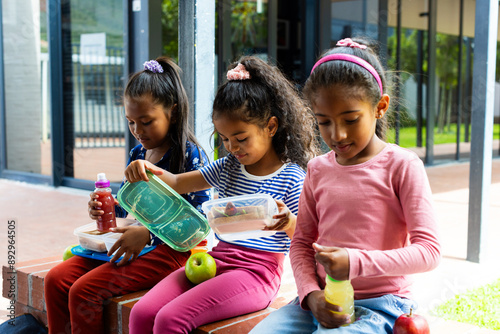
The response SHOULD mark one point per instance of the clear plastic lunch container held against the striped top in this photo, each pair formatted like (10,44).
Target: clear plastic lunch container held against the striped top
(241,217)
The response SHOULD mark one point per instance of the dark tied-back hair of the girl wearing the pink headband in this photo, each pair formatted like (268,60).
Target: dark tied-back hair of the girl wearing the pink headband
(362,83)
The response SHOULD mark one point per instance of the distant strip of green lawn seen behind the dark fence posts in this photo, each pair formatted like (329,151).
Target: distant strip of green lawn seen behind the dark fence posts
(408,136)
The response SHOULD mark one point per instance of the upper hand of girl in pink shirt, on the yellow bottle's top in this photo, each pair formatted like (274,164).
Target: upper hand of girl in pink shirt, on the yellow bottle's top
(334,259)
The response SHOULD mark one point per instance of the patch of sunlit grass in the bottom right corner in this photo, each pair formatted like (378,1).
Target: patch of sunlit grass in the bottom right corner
(480,307)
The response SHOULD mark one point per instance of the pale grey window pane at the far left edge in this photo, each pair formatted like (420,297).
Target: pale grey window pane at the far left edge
(26,86)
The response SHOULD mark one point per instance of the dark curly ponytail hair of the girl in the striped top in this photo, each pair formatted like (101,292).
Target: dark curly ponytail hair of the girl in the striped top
(268,93)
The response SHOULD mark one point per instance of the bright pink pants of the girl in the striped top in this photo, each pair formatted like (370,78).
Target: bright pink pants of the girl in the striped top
(247,280)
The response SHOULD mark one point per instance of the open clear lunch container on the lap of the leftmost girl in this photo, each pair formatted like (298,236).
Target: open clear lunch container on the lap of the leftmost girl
(90,238)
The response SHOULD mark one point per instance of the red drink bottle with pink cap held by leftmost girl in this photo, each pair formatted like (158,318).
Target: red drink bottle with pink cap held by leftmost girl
(108,219)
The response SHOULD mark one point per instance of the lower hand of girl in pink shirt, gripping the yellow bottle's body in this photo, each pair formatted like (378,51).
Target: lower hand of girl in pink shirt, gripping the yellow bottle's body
(322,310)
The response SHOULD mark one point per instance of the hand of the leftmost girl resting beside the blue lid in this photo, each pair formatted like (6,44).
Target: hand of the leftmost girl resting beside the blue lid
(130,244)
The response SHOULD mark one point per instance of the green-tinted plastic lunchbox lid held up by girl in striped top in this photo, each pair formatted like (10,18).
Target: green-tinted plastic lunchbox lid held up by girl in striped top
(164,212)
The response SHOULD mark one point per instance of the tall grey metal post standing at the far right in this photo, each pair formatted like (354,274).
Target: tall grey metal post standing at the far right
(483,88)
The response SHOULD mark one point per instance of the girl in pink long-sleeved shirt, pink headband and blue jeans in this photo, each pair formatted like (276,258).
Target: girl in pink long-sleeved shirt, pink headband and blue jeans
(365,212)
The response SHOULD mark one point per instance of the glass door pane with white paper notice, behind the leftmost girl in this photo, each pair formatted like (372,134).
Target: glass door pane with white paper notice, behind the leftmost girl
(95,125)
